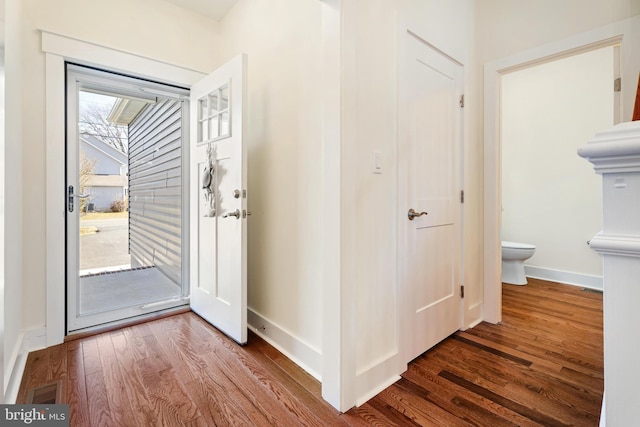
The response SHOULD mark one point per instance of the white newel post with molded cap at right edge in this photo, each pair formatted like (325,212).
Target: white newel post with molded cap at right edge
(615,154)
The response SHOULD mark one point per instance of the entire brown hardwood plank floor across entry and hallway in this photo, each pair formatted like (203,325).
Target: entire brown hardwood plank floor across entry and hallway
(542,366)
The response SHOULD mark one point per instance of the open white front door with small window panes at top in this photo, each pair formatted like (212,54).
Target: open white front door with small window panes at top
(218,168)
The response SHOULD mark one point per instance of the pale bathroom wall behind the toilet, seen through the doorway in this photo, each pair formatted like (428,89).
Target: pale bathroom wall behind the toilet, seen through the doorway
(551,197)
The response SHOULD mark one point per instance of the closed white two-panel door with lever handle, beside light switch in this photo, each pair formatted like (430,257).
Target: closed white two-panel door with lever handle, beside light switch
(430,137)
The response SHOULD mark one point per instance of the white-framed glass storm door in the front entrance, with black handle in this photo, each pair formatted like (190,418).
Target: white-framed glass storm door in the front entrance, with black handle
(126,198)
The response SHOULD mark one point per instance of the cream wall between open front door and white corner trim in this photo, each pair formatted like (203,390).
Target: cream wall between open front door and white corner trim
(282,39)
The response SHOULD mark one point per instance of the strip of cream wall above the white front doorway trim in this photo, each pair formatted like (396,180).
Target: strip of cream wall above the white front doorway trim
(152,28)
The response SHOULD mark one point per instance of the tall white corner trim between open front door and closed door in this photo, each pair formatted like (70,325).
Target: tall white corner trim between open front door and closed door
(338,335)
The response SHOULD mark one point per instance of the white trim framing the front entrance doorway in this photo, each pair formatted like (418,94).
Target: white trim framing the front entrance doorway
(58,49)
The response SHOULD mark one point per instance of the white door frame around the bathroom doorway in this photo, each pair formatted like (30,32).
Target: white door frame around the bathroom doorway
(619,32)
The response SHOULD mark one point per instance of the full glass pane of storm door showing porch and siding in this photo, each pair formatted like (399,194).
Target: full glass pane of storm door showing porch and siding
(128,203)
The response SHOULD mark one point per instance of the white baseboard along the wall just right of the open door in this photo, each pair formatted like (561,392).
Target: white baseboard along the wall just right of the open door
(301,353)
